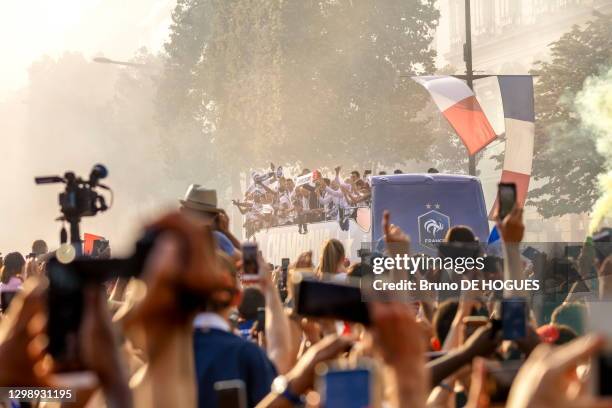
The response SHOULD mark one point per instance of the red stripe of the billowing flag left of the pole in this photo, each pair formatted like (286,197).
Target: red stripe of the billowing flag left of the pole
(471,124)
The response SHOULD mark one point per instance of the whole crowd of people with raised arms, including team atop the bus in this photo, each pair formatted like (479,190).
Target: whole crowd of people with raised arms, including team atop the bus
(187,331)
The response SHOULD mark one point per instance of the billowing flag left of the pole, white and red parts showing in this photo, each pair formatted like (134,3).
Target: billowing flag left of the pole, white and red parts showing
(460,107)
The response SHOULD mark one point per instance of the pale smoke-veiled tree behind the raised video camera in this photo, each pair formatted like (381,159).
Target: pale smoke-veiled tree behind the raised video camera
(79,113)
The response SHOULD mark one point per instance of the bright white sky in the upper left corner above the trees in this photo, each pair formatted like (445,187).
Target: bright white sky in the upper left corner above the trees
(114,28)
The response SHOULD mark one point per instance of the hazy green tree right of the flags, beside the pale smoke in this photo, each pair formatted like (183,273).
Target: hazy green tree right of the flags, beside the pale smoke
(566,160)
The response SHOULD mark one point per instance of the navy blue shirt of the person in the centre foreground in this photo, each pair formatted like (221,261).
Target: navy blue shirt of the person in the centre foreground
(220,356)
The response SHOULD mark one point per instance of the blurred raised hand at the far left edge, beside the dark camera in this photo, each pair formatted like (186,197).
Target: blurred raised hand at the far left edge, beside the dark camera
(23,359)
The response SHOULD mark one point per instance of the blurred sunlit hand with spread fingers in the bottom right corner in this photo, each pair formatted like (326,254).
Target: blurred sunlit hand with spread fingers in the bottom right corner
(545,379)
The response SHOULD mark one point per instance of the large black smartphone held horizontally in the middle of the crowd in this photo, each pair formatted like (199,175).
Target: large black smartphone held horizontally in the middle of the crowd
(335,300)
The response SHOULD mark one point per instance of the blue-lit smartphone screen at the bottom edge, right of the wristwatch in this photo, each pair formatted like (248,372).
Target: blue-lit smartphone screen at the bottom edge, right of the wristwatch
(347,389)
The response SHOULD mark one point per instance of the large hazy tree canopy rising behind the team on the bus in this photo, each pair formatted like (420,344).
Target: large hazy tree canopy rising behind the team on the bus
(256,80)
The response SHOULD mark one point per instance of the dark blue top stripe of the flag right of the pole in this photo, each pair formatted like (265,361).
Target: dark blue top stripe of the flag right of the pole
(517,96)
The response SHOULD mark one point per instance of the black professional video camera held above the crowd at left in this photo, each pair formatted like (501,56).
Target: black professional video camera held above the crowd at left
(79,199)
